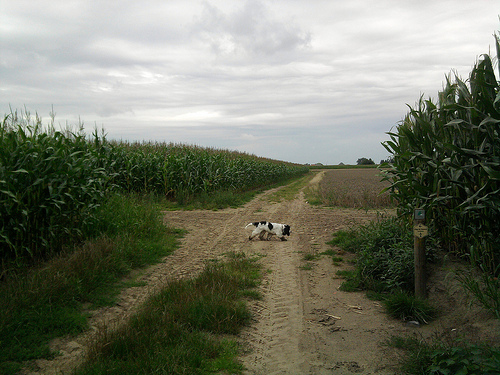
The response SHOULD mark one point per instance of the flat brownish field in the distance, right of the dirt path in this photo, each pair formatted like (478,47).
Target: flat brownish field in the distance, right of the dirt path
(351,188)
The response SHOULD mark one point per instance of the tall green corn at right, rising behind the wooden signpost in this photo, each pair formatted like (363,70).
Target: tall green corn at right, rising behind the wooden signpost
(447,160)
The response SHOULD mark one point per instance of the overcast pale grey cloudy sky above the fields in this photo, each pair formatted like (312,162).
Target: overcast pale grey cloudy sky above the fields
(304,81)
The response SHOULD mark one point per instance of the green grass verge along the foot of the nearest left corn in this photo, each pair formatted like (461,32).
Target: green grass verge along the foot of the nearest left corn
(46,302)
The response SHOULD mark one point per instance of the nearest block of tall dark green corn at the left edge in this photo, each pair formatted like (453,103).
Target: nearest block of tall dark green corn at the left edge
(49,186)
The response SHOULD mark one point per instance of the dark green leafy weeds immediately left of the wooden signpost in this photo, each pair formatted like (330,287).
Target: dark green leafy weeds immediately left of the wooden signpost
(384,267)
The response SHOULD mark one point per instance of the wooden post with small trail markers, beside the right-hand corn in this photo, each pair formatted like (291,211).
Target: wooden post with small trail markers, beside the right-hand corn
(420,231)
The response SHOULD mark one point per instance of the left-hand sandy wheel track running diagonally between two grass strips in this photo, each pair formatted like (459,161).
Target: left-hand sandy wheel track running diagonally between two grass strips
(209,235)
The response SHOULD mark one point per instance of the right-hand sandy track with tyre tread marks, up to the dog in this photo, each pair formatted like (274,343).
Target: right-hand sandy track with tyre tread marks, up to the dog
(294,331)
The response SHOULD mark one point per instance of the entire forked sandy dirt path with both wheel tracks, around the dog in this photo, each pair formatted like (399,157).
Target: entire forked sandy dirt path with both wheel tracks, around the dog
(303,325)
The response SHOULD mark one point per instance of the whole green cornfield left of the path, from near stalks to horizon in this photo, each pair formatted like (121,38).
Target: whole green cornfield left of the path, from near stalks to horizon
(52,181)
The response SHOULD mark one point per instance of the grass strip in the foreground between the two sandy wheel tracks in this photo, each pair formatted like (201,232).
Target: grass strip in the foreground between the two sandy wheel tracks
(178,331)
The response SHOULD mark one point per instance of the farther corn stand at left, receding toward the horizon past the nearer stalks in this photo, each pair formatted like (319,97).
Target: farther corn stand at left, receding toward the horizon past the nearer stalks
(181,172)
